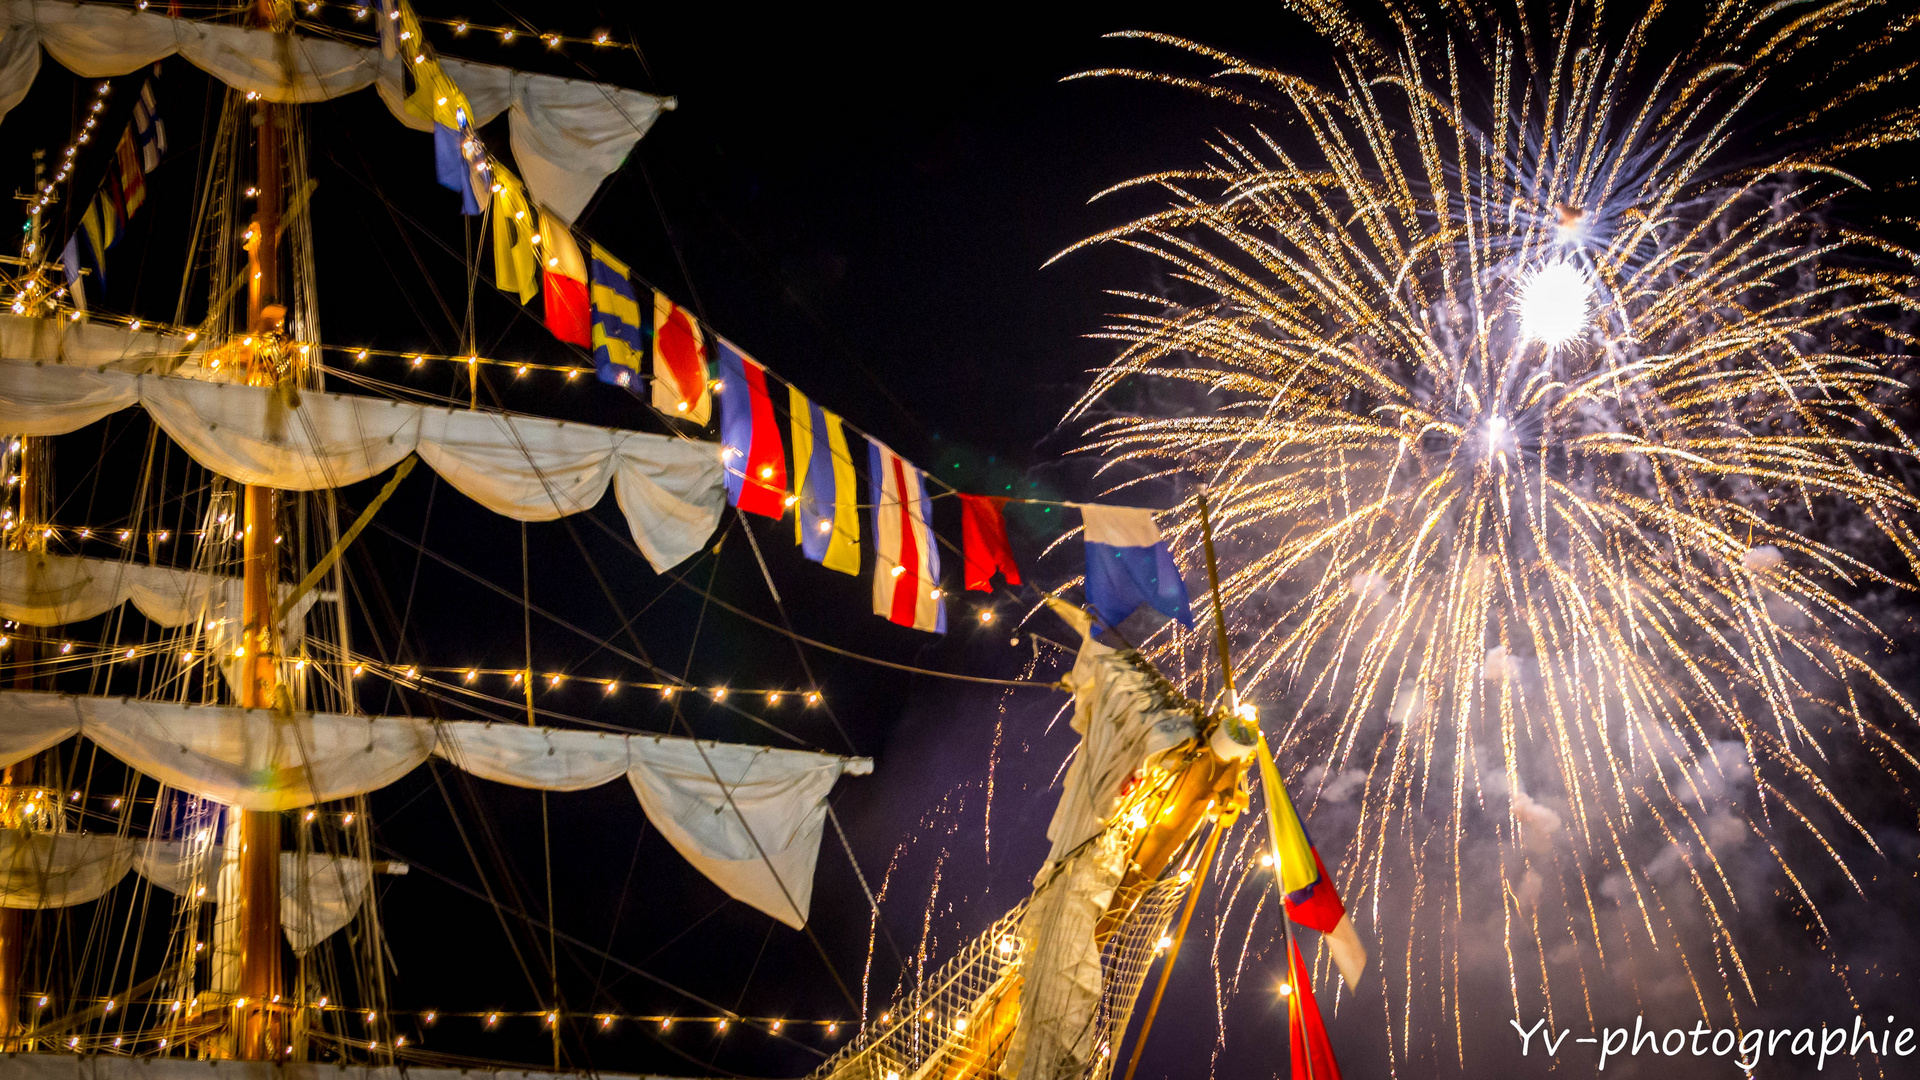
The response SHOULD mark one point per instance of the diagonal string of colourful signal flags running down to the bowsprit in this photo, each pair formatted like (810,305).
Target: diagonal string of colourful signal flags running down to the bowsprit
(590,301)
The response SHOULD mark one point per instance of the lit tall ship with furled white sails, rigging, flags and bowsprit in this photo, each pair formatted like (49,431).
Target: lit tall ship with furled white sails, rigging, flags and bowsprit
(195,716)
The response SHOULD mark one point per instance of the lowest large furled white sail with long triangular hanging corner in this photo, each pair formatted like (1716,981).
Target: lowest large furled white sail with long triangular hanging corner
(750,818)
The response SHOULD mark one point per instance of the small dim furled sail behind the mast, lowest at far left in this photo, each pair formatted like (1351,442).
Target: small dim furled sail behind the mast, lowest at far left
(320,895)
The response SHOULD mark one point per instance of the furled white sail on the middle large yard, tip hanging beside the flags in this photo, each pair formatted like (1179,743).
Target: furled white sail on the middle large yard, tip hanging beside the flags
(525,468)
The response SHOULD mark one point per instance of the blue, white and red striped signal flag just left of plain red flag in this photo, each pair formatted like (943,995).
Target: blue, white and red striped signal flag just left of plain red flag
(907,568)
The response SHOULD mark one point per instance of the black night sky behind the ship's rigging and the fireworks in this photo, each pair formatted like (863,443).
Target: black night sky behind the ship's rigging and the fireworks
(865,205)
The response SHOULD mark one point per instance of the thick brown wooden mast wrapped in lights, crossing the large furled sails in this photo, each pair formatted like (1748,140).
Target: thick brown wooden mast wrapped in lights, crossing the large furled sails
(258,1029)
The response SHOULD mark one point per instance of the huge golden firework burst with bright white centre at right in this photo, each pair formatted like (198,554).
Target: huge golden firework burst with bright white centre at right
(1554,430)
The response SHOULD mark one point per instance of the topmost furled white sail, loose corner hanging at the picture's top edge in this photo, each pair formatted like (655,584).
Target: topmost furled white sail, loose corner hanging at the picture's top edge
(567,134)
